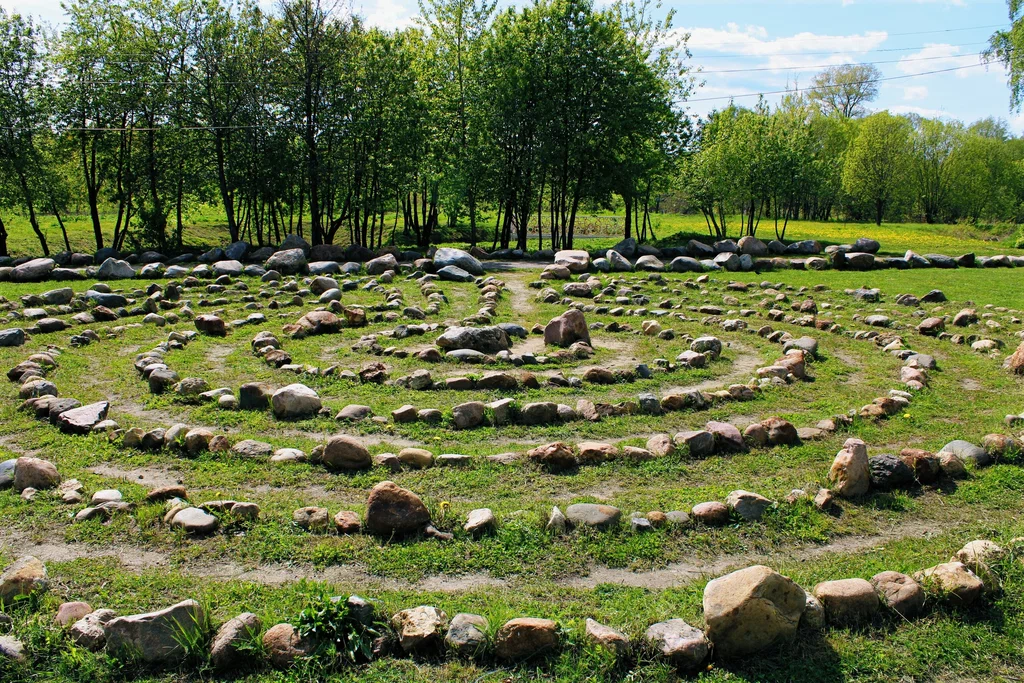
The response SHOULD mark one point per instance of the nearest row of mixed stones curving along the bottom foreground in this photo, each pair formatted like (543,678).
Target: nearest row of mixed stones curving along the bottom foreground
(746,613)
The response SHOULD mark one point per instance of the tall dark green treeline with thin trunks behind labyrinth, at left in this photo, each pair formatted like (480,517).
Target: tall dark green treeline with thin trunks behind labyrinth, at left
(304,120)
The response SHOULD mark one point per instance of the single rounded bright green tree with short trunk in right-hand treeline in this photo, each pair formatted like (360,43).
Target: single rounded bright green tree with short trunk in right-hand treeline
(878,166)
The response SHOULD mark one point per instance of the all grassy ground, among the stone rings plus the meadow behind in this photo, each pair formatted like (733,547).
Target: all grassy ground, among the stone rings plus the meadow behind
(627,579)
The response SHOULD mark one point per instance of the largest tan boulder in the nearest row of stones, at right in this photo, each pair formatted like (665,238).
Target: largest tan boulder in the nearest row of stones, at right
(752,610)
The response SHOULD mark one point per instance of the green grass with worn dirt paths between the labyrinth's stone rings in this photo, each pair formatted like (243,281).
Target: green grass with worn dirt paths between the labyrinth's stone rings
(521,570)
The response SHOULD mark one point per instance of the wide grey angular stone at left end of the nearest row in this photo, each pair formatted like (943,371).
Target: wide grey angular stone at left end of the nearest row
(156,637)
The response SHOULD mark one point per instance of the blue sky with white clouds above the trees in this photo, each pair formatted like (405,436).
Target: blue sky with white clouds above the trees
(750,48)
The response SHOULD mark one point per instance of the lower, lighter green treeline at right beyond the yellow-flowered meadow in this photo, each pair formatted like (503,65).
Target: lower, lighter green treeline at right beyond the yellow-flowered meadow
(808,160)
